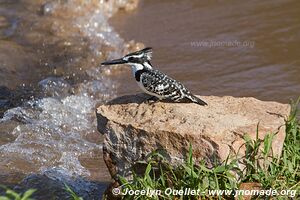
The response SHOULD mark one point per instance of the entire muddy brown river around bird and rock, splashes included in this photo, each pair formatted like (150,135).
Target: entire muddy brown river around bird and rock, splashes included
(50,53)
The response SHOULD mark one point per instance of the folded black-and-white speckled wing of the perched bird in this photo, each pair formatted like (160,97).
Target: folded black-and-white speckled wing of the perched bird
(157,82)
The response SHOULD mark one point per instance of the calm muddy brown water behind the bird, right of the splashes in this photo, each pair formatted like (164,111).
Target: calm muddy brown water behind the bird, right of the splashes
(232,48)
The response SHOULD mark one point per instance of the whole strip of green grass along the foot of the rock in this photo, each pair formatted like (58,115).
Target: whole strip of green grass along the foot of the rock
(281,173)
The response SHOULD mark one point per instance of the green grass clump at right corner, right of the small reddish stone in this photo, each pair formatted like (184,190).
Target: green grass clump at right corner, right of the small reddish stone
(280,173)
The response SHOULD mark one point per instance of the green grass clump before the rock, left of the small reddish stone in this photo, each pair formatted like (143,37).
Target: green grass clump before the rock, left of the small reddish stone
(161,176)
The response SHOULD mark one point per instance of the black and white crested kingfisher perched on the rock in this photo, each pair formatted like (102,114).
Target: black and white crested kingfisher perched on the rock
(154,82)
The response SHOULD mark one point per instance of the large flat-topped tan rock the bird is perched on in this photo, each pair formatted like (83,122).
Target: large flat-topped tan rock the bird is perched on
(133,128)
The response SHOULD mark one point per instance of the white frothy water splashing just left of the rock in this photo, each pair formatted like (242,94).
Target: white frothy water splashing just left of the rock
(51,131)
